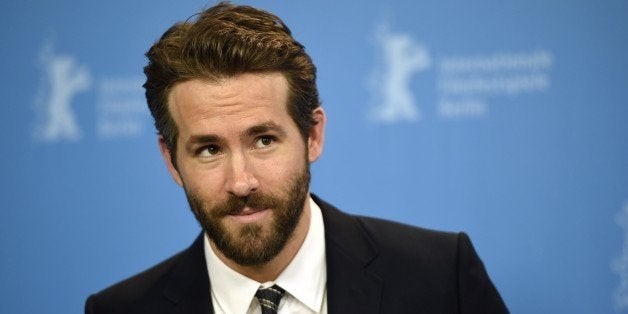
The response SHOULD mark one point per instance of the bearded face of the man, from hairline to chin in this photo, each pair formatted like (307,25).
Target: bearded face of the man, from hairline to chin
(242,162)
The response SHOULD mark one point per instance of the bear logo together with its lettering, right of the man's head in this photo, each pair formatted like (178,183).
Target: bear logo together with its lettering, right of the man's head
(464,85)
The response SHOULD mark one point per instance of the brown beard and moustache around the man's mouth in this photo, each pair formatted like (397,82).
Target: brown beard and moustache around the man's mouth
(253,243)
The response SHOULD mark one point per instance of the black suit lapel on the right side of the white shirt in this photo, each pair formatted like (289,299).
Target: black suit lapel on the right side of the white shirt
(351,287)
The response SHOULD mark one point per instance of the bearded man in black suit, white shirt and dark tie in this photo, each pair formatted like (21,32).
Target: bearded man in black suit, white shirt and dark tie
(235,102)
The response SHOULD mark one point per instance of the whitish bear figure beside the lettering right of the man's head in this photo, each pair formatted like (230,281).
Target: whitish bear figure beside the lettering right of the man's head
(402,58)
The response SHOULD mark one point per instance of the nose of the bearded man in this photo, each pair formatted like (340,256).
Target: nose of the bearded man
(241,179)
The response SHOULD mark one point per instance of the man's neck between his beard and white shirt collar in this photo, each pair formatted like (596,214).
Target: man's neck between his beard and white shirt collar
(272,269)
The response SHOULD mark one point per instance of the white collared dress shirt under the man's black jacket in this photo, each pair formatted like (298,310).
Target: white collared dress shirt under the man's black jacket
(304,279)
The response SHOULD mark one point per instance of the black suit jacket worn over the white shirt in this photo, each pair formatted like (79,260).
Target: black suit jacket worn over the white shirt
(373,266)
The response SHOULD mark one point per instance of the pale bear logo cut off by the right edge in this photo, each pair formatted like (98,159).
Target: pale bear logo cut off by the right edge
(620,265)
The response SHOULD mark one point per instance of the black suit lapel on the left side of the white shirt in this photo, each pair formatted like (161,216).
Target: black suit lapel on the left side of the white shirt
(188,287)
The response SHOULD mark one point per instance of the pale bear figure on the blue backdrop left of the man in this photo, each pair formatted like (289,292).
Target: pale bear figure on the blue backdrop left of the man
(65,78)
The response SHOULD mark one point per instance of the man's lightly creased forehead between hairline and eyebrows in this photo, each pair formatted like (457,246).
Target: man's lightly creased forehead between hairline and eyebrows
(201,106)
